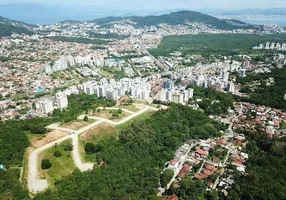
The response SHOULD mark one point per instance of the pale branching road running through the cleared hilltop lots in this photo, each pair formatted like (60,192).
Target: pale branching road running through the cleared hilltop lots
(37,185)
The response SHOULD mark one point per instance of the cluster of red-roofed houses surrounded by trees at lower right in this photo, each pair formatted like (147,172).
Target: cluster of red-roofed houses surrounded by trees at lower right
(213,161)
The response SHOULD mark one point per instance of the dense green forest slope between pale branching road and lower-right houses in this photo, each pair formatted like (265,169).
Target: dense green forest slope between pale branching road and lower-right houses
(132,164)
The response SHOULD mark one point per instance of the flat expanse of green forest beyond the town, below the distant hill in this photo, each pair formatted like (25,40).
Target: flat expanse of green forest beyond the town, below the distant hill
(218,44)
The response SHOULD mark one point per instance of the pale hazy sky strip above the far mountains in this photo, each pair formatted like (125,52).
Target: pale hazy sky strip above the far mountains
(160,4)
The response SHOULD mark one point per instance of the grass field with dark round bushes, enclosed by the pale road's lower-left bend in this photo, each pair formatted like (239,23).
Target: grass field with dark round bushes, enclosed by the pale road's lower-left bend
(61,166)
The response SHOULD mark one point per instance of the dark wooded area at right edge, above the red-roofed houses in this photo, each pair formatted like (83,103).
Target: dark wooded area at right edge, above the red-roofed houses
(272,95)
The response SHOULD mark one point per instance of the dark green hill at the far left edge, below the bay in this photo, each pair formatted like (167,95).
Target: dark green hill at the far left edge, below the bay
(7,27)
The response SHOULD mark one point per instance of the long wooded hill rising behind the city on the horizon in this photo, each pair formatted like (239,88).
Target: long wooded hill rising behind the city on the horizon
(176,18)
